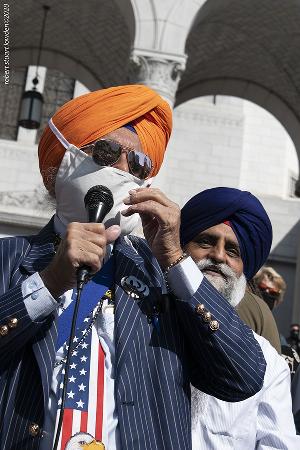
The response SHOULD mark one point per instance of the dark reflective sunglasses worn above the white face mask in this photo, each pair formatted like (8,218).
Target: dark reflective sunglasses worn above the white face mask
(106,152)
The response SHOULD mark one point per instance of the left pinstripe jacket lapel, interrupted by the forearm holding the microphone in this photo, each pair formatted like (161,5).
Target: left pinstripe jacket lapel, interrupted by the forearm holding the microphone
(39,256)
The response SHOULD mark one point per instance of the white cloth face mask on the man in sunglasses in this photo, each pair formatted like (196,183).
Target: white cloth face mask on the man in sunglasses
(77,174)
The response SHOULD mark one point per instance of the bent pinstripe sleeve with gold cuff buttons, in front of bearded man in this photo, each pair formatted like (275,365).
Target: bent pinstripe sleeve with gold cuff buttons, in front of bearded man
(227,363)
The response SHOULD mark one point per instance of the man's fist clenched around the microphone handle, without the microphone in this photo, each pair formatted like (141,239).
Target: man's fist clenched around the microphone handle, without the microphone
(83,245)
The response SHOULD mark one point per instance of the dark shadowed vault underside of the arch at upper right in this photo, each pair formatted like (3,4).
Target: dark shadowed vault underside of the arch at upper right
(249,52)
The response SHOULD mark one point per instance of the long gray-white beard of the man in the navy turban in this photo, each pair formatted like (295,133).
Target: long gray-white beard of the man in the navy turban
(233,290)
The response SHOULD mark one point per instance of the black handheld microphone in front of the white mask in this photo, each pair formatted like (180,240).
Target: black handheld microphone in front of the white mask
(98,202)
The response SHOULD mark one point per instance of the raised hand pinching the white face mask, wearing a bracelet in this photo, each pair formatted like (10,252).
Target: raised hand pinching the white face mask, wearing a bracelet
(161,222)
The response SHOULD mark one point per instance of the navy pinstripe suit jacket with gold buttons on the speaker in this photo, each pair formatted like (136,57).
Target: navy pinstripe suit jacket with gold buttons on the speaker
(153,371)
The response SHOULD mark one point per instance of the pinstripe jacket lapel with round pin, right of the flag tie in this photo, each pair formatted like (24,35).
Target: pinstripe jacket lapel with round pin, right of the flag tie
(130,314)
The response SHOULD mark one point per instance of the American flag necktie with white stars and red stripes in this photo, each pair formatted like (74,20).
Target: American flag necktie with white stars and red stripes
(83,411)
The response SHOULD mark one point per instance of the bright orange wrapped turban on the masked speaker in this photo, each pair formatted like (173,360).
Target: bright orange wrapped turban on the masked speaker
(91,116)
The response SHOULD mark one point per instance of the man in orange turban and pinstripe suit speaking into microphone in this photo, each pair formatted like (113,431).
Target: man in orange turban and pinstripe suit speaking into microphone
(119,373)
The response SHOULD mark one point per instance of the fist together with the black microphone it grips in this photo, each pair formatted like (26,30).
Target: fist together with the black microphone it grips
(82,251)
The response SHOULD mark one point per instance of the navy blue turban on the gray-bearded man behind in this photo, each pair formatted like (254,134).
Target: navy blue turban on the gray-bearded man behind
(247,217)
